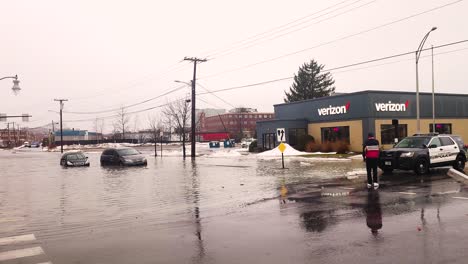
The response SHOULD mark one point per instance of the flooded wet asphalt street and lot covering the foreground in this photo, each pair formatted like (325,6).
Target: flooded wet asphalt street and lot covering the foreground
(226,208)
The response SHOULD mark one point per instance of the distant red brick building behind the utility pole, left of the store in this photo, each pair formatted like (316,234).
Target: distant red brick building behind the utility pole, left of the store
(239,124)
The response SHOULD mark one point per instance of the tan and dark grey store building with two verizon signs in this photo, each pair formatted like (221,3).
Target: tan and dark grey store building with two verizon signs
(349,117)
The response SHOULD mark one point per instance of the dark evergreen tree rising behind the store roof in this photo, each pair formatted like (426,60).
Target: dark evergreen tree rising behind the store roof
(310,82)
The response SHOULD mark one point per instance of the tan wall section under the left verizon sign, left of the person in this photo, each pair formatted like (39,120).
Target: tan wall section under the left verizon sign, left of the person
(355,132)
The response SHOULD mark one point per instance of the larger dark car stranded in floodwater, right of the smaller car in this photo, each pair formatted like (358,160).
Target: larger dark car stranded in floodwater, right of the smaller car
(123,157)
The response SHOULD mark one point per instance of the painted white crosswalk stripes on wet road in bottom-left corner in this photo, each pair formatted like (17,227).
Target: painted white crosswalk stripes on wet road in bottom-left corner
(22,246)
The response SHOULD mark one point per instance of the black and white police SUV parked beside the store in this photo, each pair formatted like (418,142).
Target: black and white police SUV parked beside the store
(423,151)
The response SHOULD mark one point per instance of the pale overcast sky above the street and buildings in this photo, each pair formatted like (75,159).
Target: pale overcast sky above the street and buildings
(105,54)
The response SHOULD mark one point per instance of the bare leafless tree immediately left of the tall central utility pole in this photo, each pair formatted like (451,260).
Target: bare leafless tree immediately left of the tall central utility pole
(179,112)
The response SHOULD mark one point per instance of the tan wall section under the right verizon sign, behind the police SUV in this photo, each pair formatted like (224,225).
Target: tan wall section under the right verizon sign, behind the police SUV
(459,127)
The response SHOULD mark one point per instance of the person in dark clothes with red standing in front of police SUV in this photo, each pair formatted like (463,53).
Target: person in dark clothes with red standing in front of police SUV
(371,153)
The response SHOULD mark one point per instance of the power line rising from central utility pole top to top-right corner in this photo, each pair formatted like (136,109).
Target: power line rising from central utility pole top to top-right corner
(333,41)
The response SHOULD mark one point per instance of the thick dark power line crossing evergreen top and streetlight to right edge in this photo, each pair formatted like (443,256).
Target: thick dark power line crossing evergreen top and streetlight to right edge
(333,69)
